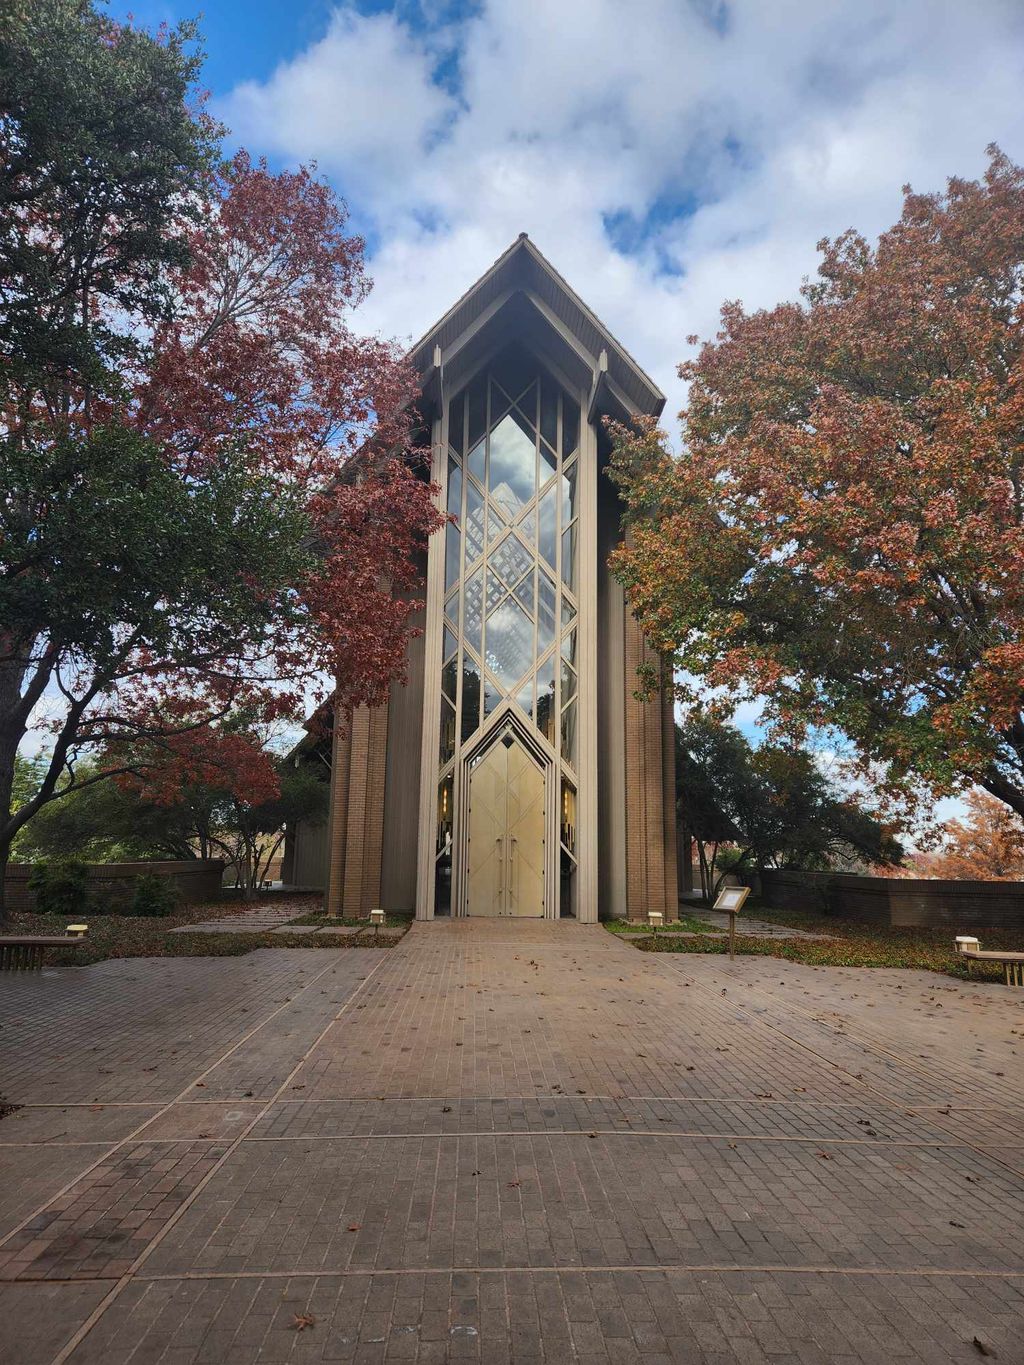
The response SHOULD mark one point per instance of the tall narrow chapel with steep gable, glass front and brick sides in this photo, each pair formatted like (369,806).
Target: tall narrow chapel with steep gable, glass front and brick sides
(515,773)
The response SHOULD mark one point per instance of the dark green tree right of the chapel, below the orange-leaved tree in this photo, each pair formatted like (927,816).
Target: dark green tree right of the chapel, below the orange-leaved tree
(767,807)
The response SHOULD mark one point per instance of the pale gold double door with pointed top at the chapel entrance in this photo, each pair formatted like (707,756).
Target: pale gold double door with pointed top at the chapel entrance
(507,832)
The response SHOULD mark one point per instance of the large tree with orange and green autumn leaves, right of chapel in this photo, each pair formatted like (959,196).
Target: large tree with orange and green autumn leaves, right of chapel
(843,534)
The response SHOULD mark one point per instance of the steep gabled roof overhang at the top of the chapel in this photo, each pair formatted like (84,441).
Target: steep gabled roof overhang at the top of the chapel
(522,274)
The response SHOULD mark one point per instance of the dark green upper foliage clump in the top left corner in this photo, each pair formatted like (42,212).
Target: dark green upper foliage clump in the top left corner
(103,163)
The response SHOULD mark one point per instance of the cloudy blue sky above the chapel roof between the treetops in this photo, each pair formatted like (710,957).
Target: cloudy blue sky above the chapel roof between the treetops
(722,140)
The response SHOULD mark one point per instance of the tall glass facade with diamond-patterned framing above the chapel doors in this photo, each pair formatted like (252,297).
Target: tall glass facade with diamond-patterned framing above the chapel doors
(511,607)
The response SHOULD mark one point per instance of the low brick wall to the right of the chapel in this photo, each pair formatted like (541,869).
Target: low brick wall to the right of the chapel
(911,903)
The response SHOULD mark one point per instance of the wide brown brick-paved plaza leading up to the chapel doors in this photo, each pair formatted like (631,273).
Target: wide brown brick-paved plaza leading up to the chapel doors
(507,1142)
